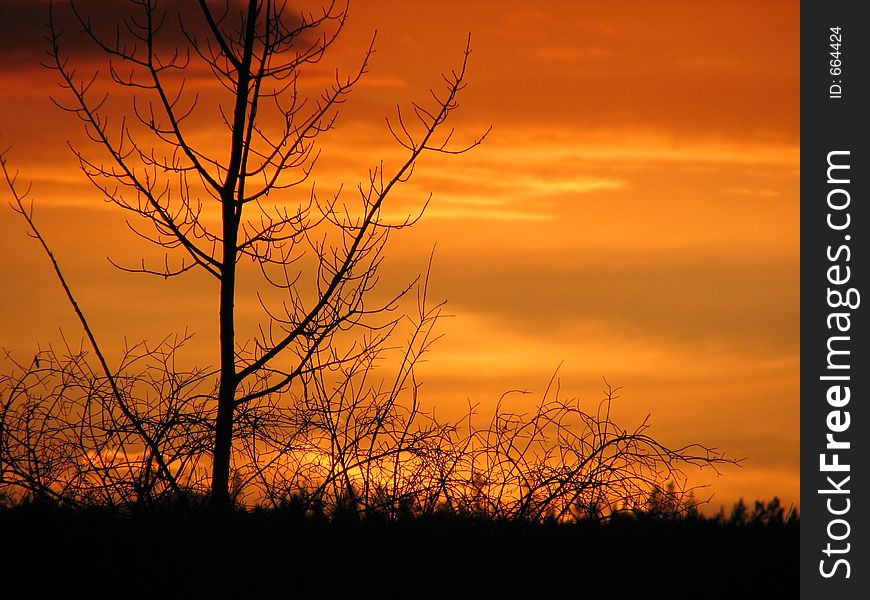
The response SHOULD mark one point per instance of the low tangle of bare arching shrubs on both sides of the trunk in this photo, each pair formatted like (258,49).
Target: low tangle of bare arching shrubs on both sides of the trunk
(62,441)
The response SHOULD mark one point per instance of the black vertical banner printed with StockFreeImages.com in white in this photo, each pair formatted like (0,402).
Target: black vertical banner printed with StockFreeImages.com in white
(835,372)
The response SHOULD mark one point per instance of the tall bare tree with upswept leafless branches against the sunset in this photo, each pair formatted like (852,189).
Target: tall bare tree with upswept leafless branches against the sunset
(320,251)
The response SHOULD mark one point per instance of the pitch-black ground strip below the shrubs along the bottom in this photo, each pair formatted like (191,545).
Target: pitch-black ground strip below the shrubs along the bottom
(752,554)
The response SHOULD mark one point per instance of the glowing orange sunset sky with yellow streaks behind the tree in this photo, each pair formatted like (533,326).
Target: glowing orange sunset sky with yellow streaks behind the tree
(633,214)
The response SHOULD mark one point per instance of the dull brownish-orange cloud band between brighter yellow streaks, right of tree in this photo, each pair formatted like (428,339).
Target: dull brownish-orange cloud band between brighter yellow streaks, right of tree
(695,301)
